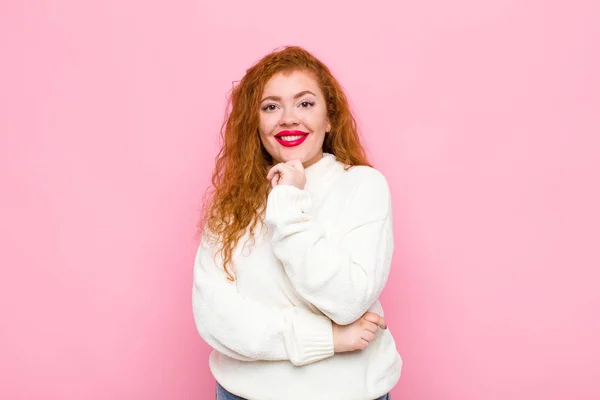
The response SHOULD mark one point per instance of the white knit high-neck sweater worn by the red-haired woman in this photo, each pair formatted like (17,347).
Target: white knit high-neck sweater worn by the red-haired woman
(323,255)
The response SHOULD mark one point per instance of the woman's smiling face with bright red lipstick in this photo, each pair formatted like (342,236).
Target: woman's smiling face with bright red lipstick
(293,118)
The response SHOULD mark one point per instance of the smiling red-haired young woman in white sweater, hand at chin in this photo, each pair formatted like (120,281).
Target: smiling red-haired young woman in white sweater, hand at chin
(296,244)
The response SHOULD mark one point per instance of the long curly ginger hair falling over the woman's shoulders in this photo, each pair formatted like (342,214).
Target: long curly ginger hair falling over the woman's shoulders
(235,201)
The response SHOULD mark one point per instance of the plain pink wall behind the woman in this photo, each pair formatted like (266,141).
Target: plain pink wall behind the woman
(484,116)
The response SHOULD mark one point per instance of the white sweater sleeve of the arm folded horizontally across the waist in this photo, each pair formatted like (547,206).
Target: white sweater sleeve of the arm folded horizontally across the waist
(247,330)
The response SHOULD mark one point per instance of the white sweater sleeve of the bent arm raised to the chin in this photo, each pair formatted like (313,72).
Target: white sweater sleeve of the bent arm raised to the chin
(341,277)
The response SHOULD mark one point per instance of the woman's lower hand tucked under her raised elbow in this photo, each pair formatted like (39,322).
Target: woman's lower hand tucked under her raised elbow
(358,334)
